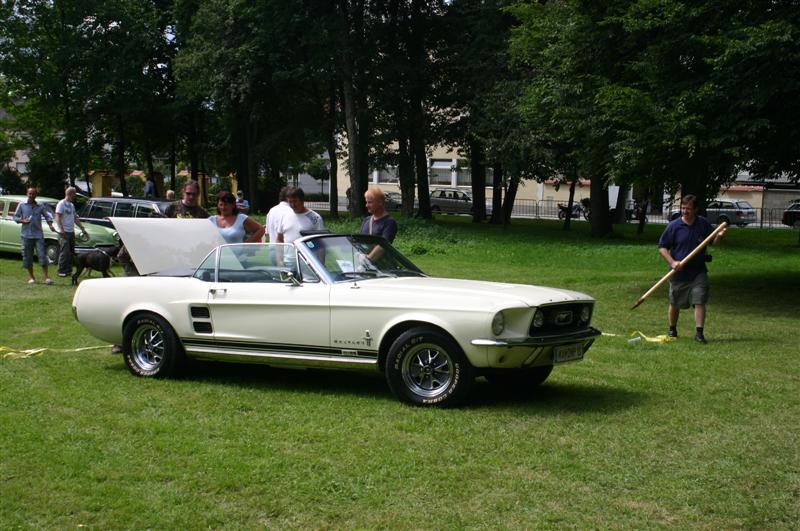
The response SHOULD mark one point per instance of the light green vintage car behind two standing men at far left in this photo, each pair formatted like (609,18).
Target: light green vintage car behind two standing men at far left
(95,236)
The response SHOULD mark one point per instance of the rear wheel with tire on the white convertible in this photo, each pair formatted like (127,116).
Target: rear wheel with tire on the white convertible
(151,347)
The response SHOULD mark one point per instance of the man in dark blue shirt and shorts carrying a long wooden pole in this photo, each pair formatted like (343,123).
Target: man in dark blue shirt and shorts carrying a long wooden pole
(689,285)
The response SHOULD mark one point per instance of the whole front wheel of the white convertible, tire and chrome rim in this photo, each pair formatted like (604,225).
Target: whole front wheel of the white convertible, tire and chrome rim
(427,368)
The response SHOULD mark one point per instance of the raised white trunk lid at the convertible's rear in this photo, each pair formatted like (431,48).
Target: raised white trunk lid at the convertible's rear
(158,244)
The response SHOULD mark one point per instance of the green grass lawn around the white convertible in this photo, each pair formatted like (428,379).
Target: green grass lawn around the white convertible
(638,435)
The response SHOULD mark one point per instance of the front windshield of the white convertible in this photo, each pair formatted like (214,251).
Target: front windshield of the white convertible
(356,257)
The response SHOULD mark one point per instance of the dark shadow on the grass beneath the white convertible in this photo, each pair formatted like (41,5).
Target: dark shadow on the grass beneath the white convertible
(550,398)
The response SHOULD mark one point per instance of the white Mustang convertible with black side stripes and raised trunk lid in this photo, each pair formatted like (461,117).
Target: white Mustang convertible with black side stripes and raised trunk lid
(326,301)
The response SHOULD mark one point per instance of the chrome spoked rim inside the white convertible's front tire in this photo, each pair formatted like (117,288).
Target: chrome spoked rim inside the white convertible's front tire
(428,370)
